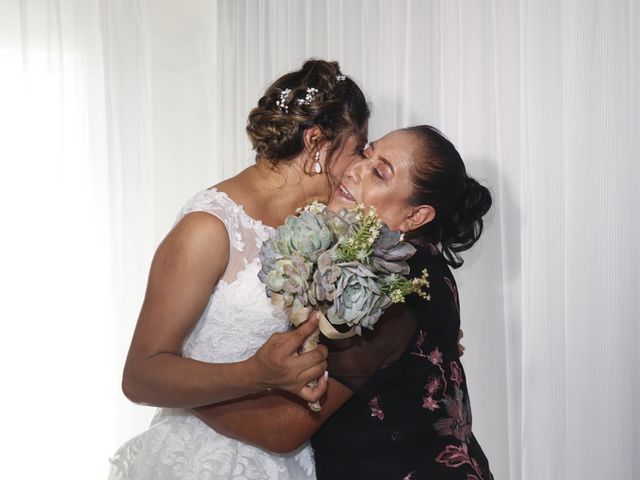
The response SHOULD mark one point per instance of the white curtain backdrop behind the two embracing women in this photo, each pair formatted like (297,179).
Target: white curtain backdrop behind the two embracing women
(114,112)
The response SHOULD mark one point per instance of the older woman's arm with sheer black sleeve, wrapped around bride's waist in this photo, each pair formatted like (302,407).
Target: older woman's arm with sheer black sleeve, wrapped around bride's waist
(280,422)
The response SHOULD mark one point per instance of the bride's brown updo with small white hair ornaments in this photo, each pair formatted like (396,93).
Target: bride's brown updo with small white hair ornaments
(317,94)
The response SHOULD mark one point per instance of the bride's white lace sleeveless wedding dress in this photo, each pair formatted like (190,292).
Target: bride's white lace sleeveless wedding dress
(237,321)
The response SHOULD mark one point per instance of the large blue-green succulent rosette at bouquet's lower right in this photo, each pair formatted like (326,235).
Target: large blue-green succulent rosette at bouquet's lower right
(358,298)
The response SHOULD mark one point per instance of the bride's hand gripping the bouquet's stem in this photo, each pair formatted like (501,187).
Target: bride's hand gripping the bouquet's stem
(277,364)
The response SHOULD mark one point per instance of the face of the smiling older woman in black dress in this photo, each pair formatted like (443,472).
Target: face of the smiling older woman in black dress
(380,177)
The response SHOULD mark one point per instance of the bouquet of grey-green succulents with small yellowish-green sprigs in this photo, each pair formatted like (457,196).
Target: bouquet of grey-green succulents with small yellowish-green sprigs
(348,265)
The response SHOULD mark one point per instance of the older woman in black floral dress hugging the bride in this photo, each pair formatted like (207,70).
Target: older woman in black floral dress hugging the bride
(397,406)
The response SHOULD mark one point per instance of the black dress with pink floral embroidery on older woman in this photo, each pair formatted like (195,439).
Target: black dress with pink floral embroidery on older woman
(410,419)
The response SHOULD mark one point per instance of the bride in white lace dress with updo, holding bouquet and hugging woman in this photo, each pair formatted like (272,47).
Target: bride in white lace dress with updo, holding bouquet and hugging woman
(207,333)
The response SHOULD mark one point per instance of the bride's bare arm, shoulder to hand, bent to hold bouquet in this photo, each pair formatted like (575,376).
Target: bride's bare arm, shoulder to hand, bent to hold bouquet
(186,268)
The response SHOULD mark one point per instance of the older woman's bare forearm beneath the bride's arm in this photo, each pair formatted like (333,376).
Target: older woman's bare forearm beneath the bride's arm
(275,421)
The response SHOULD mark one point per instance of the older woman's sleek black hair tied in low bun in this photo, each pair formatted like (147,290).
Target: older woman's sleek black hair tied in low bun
(440,180)
